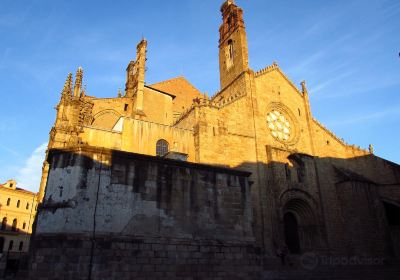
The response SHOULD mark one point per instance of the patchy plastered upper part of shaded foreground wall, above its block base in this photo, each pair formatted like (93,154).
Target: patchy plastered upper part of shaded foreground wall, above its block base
(111,192)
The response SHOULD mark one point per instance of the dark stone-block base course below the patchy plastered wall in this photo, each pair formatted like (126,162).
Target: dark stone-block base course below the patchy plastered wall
(80,257)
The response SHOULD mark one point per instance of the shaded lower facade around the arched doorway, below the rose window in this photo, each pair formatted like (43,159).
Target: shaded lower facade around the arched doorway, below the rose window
(327,205)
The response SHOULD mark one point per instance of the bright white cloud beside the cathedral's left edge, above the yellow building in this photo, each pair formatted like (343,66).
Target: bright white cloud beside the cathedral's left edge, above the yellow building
(30,174)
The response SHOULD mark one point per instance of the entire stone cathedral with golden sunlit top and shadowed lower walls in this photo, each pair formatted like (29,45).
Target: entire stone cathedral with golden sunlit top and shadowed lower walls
(165,181)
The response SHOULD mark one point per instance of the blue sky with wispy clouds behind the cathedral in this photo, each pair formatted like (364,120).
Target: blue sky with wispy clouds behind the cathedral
(347,51)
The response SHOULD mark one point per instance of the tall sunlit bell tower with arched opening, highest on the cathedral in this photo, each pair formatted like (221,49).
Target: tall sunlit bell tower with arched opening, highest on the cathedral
(233,51)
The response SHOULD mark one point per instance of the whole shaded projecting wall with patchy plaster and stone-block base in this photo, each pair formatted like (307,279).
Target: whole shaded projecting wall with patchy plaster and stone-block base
(118,215)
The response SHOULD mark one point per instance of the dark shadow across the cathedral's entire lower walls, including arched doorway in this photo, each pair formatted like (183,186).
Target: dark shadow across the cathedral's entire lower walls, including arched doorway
(170,216)
